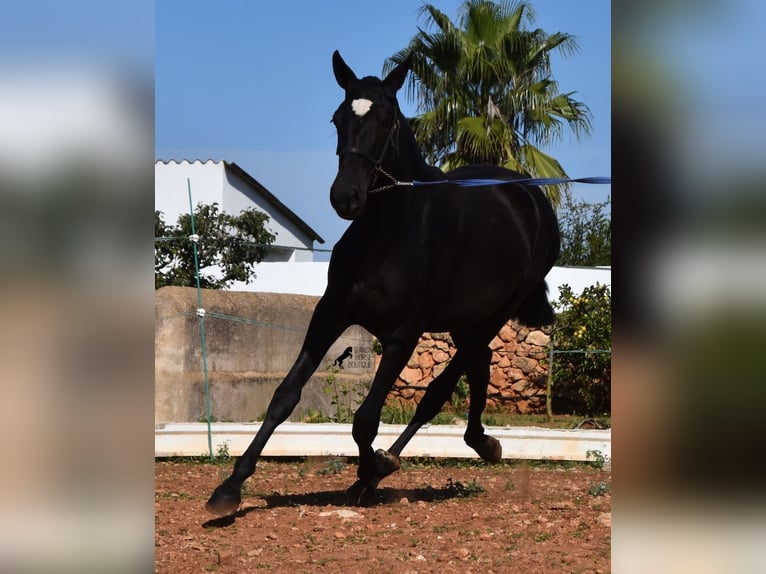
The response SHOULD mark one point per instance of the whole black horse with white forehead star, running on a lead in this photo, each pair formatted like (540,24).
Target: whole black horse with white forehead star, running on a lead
(436,258)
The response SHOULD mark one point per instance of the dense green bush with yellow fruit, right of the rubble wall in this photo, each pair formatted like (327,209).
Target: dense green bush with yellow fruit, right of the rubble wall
(581,382)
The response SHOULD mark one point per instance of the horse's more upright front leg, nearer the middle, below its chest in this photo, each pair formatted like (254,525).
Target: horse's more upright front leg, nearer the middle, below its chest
(373,466)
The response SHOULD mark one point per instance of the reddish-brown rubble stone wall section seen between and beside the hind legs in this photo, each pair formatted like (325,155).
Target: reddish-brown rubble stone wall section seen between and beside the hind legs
(518,369)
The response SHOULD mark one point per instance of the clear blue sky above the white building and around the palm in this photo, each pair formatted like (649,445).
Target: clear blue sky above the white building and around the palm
(252,83)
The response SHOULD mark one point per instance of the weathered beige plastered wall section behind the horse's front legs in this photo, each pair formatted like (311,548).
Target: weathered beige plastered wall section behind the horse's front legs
(248,354)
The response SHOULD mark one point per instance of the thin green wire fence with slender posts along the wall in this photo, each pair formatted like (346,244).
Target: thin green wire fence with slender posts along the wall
(202,314)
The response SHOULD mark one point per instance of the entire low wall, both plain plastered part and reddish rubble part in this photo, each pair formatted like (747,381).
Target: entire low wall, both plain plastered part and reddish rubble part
(248,358)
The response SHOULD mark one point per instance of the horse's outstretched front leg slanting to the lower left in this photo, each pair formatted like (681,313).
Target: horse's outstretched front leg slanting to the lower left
(323,330)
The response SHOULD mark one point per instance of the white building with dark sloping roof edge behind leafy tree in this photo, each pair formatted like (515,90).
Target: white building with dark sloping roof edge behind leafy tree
(234,190)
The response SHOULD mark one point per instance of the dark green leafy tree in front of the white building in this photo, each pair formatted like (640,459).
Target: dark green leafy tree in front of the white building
(228,248)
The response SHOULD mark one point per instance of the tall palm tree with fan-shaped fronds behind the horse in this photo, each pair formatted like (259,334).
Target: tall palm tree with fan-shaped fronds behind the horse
(485,92)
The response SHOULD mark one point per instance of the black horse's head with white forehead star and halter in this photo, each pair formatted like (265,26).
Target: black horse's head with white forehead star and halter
(368,123)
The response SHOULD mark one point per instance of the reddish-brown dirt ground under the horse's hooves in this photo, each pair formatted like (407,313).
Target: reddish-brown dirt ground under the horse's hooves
(429,517)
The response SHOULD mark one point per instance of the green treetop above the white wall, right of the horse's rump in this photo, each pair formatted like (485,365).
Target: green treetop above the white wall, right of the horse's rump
(586,233)
